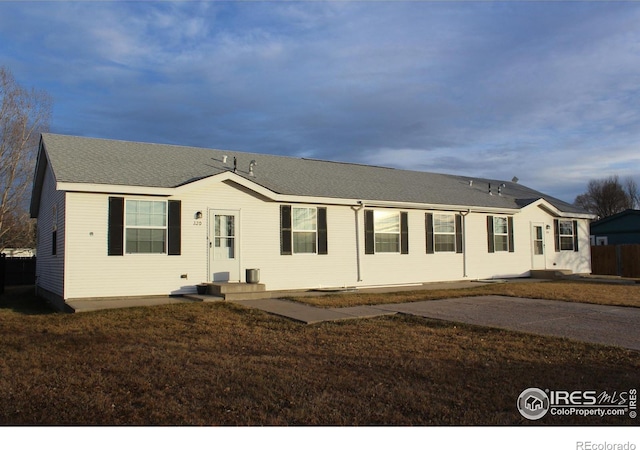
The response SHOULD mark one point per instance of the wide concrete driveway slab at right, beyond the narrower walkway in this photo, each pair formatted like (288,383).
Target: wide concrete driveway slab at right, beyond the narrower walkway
(610,325)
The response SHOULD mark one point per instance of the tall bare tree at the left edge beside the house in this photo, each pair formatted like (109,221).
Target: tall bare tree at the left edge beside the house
(24,114)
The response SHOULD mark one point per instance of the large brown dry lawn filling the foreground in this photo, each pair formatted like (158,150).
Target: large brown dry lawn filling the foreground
(220,364)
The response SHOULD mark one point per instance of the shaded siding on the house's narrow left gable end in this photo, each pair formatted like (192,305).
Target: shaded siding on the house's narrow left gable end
(50,268)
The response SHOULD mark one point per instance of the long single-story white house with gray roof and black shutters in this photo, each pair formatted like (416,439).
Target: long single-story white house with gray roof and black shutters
(122,218)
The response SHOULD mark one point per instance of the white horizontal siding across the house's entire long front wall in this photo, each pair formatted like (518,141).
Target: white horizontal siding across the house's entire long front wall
(90,272)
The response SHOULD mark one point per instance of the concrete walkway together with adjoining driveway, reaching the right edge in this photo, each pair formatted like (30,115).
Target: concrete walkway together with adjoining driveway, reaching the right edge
(608,325)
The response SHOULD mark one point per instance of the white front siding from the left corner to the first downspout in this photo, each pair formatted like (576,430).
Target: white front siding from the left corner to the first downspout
(91,273)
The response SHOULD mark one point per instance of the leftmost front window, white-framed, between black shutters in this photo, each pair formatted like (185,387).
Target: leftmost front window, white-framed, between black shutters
(146,226)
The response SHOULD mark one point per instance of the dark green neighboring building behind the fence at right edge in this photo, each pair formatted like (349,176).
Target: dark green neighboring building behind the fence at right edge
(621,228)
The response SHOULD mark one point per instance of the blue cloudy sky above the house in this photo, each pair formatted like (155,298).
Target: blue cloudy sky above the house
(545,91)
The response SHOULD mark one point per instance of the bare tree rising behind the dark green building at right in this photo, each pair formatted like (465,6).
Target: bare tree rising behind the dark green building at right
(608,196)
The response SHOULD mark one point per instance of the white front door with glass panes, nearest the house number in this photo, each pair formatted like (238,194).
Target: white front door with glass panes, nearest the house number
(224,255)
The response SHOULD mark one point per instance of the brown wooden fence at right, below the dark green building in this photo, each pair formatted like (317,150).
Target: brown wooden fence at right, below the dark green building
(621,260)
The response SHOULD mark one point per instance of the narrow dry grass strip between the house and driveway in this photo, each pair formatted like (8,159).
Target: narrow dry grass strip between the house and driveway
(585,292)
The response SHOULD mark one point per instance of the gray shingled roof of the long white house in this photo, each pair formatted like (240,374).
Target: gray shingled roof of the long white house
(100,161)
